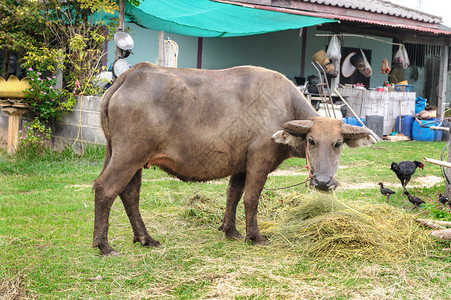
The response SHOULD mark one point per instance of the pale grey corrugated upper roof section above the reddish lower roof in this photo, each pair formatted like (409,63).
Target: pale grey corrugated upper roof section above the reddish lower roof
(380,7)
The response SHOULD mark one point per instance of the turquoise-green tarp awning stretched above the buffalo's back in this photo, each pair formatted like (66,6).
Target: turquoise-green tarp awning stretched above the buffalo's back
(204,18)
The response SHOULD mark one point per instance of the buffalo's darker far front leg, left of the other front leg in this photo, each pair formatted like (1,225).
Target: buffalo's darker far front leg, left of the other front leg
(234,193)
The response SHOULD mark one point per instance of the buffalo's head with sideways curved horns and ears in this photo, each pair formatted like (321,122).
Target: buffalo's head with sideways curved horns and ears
(320,140)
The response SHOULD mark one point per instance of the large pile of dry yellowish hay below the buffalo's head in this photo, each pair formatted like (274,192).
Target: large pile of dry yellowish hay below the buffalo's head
(324,226)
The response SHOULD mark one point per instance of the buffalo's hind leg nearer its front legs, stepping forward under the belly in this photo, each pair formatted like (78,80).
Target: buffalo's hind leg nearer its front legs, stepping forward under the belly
(130,199)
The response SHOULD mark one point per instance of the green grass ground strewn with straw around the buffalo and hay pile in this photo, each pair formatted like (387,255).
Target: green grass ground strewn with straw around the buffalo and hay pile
(46,222)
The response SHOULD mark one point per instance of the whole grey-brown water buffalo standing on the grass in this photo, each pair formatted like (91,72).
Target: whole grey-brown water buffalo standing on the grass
(201,125)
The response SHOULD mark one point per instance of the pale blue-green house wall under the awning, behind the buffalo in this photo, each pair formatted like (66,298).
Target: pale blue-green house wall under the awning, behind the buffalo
(280,51)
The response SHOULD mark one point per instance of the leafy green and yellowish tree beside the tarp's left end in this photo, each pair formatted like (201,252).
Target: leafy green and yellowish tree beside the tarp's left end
(56,35)
